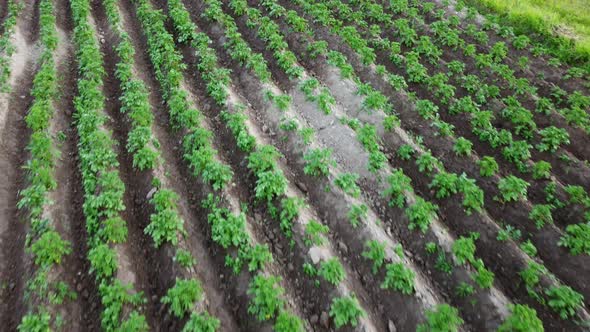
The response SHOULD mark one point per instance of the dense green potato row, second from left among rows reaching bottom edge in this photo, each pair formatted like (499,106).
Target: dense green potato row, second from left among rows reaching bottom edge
(103,188)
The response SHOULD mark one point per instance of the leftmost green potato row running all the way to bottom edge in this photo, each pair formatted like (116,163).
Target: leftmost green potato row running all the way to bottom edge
(47,247)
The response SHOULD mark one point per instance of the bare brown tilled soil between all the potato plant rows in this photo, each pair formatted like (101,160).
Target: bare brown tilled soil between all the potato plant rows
(153,270)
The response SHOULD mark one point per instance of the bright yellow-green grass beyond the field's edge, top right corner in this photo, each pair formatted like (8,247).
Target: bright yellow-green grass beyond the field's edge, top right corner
(563,24)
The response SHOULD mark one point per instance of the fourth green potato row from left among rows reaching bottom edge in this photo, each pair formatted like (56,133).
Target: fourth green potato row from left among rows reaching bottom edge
(228,229)
